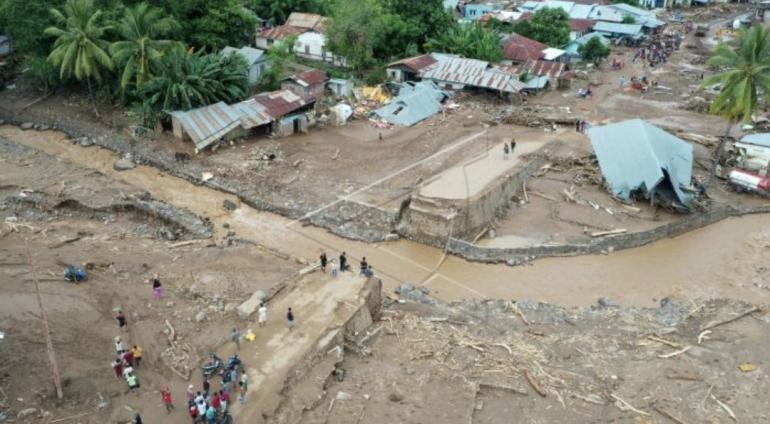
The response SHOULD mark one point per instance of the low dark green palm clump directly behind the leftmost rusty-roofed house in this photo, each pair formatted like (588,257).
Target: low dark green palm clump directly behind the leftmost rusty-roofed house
(184,81)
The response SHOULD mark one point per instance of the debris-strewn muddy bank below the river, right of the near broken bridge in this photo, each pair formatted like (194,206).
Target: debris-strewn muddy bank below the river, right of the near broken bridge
(501,362)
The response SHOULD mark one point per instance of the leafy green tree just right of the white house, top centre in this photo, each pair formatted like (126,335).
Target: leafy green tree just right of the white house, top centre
(356,29)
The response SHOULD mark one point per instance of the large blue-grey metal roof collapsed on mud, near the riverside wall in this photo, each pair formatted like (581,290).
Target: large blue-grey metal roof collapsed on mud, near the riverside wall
(635,154)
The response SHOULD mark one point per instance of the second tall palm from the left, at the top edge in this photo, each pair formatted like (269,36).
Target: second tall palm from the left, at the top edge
(138,51)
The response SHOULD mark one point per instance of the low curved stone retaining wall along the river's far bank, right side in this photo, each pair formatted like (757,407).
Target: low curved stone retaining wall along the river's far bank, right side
(519,255)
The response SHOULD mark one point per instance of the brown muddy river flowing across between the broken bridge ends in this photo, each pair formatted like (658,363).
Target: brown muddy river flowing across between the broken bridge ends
(723,259)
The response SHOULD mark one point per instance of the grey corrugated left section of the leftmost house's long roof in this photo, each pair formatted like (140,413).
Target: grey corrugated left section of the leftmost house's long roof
(208,124)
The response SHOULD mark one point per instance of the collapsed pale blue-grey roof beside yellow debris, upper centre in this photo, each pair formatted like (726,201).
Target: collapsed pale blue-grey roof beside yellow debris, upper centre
(415,102)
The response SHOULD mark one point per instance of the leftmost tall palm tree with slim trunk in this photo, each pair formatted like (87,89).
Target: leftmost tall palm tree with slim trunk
(79,48)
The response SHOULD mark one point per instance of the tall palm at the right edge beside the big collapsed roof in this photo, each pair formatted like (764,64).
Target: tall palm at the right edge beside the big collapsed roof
(745,77)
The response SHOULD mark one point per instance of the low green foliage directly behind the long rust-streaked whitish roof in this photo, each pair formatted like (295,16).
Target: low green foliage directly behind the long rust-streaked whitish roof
(470,40)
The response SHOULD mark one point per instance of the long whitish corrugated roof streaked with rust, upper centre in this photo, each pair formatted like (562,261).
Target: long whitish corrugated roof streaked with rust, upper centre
(474,73)
